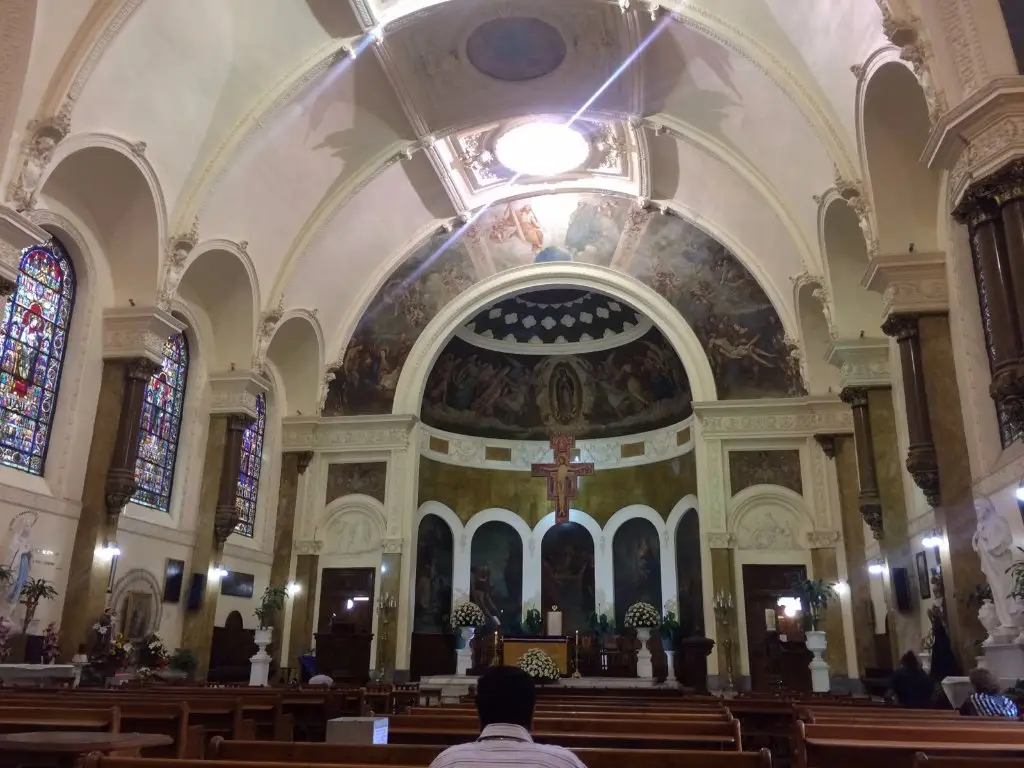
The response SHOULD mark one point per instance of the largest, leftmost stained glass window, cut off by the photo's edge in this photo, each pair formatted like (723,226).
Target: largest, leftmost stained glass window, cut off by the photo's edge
(35,335)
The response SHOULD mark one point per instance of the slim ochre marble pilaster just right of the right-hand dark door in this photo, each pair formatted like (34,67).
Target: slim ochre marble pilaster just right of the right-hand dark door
(845,457)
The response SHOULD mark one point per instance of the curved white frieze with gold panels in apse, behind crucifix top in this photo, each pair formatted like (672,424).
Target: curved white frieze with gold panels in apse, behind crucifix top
(605,454)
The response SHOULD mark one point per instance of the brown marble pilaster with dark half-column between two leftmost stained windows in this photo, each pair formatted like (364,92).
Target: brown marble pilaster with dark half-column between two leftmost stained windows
(110,484)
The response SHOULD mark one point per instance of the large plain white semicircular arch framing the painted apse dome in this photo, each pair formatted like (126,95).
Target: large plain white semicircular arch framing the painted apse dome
(412,382)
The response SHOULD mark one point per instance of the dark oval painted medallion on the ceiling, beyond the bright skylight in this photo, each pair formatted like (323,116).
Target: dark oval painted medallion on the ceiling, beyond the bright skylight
(516,49)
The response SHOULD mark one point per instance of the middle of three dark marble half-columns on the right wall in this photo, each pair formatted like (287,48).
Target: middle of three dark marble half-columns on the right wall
(921,459)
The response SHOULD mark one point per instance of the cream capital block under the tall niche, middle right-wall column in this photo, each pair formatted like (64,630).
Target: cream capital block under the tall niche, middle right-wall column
(910,285)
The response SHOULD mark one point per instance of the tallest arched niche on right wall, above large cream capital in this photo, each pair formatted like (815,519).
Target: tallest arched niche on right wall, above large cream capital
(906,192)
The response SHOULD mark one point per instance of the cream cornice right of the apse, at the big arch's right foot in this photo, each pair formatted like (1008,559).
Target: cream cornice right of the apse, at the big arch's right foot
(774,418)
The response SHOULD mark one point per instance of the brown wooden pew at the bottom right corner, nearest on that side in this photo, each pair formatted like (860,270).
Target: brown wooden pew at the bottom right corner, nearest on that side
(894,746)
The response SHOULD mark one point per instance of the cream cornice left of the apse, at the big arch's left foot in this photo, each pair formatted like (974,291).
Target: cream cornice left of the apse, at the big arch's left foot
(339,435)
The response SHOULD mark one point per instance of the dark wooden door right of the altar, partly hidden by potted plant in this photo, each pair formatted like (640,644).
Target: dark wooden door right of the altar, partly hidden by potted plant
(763,586)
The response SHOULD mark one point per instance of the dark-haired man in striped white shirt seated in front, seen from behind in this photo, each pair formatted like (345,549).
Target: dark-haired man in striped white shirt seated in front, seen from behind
(505,700)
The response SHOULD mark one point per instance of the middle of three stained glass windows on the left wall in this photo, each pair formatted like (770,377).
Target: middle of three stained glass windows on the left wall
(160,428)
